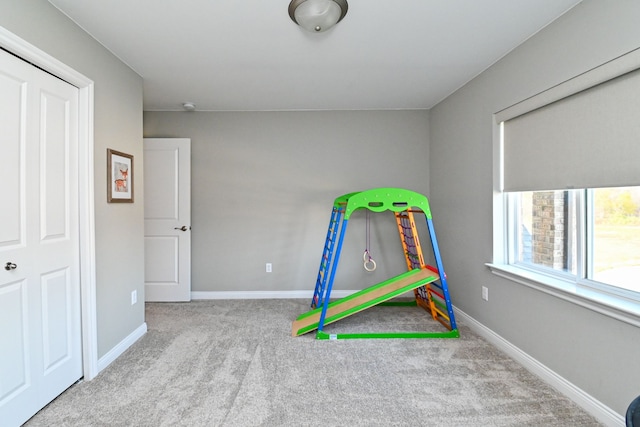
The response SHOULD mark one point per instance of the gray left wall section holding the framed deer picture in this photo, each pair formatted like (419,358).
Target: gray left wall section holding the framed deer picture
(117,125)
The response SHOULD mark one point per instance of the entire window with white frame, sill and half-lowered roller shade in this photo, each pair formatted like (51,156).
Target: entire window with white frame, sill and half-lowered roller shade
(567,190)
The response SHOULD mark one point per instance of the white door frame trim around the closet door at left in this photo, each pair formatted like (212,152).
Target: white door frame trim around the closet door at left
(86,197)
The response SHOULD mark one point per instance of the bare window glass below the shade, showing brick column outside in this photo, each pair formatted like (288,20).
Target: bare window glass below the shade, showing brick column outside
(589,237)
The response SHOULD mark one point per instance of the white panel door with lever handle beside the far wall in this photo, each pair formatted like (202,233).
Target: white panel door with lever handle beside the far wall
(167,224)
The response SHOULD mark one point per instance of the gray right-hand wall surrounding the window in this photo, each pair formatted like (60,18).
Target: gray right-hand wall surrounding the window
(595,352)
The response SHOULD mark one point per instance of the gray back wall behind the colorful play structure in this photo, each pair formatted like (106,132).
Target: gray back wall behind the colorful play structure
(263,185)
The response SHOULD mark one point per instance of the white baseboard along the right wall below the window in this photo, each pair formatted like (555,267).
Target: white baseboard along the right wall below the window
(583,399)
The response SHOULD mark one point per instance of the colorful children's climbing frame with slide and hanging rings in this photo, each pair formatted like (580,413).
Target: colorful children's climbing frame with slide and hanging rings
(428,283)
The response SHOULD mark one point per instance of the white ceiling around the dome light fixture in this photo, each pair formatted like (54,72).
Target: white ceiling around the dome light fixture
(241,55)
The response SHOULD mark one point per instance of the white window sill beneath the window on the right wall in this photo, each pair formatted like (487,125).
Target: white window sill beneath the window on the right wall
(619,308)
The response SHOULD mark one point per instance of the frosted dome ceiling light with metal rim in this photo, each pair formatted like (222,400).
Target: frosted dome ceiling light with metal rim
(317,15)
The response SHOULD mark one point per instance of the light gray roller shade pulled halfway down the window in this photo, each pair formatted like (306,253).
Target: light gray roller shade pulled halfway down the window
(586,140)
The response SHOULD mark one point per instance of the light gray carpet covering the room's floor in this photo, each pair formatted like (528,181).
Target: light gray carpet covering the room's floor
(234,363)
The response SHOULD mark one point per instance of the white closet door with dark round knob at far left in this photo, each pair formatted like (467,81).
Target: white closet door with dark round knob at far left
(40,329)
